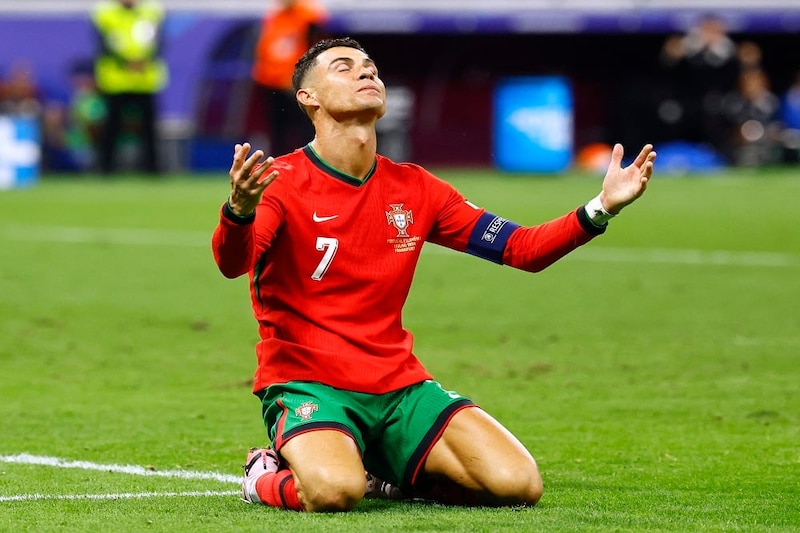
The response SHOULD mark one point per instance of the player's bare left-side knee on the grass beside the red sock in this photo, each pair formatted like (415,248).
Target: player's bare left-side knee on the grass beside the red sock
(332,492)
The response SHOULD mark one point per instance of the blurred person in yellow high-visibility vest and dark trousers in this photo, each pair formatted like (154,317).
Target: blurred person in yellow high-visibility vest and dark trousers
(129,73)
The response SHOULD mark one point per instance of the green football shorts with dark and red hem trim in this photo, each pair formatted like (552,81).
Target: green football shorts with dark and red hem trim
(394,431)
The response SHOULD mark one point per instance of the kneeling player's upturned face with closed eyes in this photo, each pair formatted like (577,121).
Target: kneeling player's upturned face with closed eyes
(345,81)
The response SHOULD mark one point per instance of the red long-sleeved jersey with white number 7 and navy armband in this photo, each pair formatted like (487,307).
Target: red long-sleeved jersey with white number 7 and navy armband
(331,260)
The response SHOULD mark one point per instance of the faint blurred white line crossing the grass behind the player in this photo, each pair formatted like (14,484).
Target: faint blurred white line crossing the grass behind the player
(158,237)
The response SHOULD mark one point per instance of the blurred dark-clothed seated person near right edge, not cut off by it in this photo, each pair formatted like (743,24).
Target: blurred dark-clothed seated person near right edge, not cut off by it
(754,112)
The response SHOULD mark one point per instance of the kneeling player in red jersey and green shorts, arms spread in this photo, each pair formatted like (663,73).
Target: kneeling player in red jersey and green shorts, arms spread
(330,235)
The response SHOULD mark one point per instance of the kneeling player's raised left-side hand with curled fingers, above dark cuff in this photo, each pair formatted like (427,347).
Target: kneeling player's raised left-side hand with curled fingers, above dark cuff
(247,179)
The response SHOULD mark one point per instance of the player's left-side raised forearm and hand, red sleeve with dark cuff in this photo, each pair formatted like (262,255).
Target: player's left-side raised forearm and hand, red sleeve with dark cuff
(234,239)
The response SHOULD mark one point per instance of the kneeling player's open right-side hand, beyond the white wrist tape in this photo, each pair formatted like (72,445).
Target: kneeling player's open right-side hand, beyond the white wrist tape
(621,186)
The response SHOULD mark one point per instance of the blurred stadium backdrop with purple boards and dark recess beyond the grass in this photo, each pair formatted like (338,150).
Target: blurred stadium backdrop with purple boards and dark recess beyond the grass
(519,85)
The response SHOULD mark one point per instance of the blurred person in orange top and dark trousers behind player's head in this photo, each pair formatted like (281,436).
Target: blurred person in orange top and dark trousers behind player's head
(288,29)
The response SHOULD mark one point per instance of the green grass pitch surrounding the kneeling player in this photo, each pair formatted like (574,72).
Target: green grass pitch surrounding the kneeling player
(654,374)
